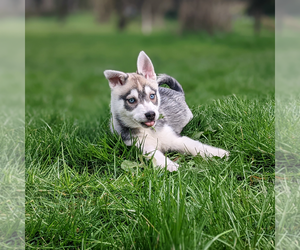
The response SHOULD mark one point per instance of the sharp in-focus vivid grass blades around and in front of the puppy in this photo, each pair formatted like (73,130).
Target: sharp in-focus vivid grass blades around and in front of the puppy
(77,192)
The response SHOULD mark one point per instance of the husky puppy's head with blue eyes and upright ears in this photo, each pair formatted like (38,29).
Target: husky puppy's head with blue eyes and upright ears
(135,98)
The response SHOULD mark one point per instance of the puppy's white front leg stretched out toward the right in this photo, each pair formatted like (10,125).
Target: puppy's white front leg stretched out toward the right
(187,145)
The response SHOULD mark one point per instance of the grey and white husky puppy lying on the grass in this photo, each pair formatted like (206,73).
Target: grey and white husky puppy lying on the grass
(153,115)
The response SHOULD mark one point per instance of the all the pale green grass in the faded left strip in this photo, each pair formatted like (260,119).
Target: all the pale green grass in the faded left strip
(12,135)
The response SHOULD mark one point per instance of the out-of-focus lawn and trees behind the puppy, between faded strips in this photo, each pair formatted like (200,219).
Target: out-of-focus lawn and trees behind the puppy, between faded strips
(213,48)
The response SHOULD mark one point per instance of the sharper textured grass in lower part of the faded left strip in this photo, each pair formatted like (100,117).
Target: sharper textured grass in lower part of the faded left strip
(12,184)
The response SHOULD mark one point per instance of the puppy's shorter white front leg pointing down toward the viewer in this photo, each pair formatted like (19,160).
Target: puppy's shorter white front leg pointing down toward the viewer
(161,159)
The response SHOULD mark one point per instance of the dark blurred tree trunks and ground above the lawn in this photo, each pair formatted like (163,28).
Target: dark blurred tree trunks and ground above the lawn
(192,15)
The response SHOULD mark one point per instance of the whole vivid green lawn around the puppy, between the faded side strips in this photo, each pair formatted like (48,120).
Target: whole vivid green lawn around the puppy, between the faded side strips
(86,190)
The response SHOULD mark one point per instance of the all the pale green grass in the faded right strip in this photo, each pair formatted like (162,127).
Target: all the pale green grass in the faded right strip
(287,137)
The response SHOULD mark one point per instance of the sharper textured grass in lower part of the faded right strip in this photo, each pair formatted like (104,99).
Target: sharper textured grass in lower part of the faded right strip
(287,171)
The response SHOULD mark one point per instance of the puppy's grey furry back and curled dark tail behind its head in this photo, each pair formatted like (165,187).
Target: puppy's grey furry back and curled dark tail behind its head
(173,107)
